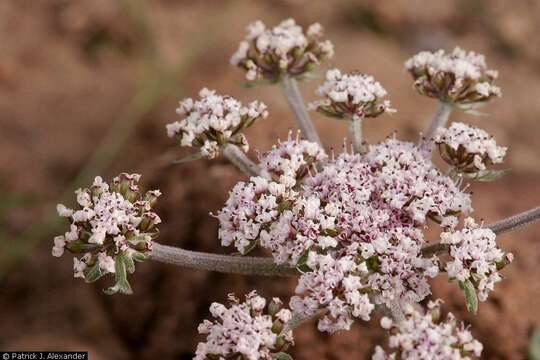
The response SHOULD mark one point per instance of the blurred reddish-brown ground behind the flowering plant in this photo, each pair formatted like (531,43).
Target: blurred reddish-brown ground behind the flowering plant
(87,86)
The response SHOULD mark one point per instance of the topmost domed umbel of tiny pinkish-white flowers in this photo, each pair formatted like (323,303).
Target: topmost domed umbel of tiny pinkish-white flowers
(285,50)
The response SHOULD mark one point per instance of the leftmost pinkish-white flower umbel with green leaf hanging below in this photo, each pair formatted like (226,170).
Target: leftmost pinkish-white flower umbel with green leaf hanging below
(112,227)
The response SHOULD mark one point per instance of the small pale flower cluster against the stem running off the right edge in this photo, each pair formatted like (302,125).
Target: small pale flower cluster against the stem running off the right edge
(475,256)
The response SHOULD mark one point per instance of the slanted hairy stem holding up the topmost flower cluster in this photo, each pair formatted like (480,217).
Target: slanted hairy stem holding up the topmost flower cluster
(294,98)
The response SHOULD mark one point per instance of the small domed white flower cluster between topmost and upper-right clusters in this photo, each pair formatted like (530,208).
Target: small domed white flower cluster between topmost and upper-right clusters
(351,95)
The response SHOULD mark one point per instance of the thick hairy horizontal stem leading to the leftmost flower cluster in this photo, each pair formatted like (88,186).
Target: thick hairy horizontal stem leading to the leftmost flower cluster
(246,265)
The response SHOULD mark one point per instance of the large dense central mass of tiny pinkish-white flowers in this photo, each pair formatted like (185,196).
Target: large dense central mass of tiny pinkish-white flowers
(363,214)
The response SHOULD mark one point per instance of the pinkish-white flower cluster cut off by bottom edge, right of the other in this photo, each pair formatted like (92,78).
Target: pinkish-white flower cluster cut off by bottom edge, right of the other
(425,337)
